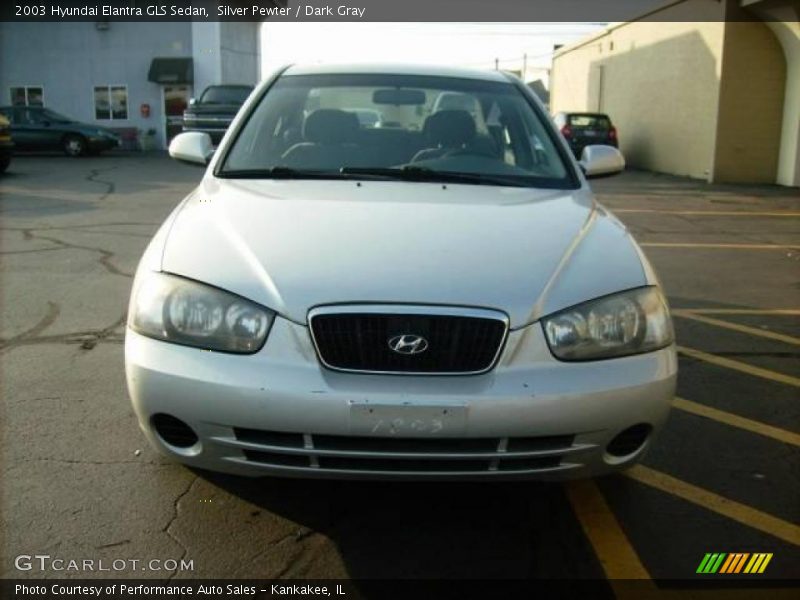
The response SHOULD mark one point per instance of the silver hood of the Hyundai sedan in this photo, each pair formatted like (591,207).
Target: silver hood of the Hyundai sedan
(295,244)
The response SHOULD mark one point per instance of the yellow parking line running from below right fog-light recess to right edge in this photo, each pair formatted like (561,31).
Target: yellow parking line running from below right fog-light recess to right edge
(742,513)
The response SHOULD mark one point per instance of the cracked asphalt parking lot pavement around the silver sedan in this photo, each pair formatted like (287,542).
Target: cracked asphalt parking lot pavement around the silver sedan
(79,481)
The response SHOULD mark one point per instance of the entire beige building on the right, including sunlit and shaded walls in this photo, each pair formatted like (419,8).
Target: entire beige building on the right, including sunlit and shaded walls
(703,98)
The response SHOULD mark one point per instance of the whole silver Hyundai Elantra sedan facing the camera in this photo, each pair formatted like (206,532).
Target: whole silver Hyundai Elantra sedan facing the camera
(433,293)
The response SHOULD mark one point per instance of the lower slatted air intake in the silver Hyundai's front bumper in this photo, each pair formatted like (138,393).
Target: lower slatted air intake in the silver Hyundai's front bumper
(334,453)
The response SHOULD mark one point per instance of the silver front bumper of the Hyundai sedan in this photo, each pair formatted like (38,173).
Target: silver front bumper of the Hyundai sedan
(278,412)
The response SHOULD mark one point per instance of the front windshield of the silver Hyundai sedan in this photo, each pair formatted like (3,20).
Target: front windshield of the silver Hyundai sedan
(397,126)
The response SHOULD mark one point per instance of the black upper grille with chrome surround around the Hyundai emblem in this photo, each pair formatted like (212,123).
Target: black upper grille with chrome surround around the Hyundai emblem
(455,343)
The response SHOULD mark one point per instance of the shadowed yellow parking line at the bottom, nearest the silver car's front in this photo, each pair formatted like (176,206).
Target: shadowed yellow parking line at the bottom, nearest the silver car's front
(611,545)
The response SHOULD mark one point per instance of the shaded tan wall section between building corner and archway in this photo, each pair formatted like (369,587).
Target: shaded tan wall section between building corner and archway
(751,96)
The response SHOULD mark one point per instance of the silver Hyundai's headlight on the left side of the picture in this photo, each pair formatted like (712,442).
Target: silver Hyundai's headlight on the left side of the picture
(185,312)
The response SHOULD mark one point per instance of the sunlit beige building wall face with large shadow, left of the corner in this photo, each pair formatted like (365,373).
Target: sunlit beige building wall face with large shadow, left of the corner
(659,82)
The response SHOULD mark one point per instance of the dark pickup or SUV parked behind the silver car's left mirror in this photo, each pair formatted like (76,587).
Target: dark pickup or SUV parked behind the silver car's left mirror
(213,112)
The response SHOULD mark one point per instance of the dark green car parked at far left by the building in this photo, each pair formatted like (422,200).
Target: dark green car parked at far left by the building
(39,128)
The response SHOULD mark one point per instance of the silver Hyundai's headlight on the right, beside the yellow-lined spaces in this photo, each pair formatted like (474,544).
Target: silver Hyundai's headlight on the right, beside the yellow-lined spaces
(631,322)
